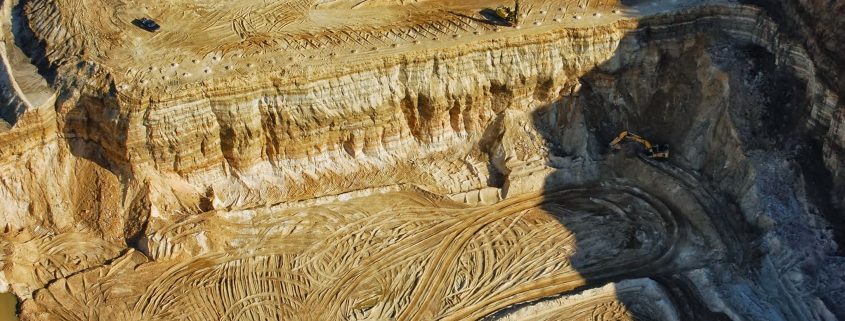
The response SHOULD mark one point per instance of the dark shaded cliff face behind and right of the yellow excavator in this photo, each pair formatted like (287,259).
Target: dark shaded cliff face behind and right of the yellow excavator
(740,117)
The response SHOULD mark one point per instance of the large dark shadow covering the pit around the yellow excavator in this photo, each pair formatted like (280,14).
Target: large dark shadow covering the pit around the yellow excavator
(659,93)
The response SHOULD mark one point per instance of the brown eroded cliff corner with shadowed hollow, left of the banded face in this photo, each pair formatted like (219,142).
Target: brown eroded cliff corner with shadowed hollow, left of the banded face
(104,187)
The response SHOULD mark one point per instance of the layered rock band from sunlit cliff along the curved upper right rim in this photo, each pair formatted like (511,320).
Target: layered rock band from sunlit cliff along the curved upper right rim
(254,142)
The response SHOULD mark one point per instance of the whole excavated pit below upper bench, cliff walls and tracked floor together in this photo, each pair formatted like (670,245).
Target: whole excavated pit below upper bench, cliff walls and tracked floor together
(739,217)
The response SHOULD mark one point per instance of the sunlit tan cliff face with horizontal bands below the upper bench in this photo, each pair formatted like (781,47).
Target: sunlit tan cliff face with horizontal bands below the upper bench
(379,119)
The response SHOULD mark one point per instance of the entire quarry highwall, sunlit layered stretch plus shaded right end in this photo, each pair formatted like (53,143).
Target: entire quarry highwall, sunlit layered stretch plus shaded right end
(744,107)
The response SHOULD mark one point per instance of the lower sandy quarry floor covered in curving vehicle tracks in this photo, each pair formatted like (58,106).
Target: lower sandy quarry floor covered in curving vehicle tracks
(413,258)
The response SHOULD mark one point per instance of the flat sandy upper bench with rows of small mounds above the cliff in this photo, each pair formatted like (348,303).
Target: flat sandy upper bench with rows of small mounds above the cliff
(201,40)
